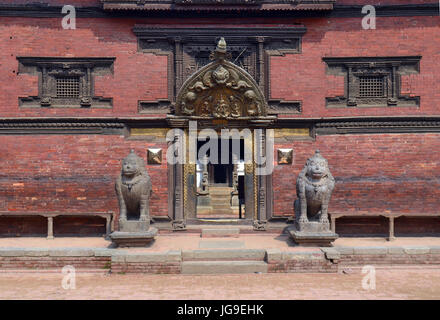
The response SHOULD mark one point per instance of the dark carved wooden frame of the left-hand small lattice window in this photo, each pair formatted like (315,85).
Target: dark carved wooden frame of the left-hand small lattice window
(49,69)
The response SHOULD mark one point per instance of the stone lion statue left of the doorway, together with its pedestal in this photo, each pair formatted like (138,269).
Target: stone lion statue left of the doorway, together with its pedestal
(133,188)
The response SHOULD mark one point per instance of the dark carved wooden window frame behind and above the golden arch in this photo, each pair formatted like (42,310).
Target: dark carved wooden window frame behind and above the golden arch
(182,45)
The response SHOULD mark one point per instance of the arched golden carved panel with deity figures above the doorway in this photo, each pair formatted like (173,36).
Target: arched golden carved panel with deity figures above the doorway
(221,89)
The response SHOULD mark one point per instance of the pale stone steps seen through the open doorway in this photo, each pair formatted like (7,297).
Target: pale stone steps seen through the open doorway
(220,204)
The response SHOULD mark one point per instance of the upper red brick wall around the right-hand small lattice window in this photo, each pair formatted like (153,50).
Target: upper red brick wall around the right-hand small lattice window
(342,37)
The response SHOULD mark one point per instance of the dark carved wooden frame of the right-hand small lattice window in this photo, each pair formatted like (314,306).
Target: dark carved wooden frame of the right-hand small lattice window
(390,68)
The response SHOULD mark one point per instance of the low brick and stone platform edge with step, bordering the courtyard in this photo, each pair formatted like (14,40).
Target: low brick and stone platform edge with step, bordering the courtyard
(323,260)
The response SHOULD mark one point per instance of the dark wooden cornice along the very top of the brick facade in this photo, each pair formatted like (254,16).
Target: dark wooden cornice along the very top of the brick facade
(38,10)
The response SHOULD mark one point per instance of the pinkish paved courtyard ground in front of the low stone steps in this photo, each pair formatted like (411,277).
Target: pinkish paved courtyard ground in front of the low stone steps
(395,283)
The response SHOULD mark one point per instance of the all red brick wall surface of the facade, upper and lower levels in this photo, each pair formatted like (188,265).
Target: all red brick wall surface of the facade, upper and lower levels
(373,172)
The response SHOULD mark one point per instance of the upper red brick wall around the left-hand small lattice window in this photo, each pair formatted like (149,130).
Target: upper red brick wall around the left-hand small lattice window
(137,76)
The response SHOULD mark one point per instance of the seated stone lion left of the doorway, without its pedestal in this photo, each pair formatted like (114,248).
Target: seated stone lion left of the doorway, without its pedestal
(133,188)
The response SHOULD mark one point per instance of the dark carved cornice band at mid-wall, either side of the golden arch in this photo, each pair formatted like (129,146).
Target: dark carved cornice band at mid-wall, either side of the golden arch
(319,126)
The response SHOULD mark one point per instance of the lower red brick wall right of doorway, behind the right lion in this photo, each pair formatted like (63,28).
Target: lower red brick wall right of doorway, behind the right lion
(376,173)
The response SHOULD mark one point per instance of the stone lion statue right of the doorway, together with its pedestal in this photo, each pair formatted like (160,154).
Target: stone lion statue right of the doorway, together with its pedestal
(314,188)
